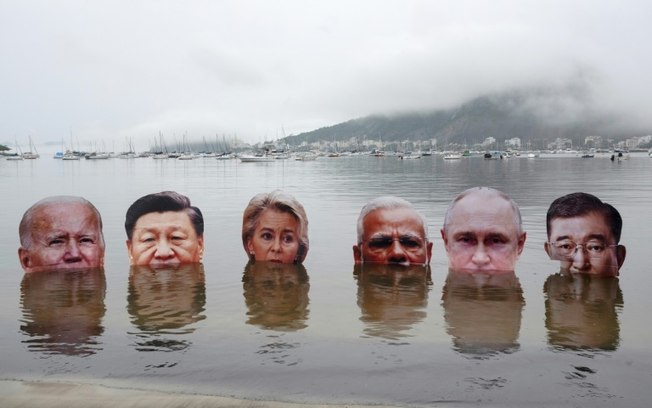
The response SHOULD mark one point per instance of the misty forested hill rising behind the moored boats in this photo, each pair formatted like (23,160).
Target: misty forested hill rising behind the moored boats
(535,117)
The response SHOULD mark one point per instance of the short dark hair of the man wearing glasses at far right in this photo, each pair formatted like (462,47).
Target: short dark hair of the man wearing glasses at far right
(581,204)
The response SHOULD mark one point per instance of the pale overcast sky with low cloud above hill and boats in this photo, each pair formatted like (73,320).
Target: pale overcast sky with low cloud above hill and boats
(257,69)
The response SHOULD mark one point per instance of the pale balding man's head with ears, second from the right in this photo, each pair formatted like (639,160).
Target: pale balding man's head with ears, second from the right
(482,235)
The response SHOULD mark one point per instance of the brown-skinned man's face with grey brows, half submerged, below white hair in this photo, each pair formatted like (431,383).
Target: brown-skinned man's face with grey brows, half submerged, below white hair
(393,236)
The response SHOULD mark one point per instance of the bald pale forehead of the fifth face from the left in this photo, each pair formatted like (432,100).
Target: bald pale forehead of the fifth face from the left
(482,212)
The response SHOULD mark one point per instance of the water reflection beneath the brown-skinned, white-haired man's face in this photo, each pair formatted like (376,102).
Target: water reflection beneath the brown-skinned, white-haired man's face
(392,298)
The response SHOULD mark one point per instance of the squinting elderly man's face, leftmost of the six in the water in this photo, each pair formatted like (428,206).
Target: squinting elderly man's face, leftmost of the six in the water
(64,236)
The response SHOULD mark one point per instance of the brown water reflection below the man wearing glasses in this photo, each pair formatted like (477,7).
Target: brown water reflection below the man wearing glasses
(582,311)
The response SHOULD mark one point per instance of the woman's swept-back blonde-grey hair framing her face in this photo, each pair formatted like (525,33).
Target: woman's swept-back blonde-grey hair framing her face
(280,201)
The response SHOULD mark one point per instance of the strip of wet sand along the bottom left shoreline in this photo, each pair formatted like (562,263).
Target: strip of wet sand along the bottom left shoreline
(19,394)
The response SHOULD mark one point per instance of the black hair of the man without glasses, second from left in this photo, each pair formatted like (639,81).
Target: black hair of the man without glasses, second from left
(162,202)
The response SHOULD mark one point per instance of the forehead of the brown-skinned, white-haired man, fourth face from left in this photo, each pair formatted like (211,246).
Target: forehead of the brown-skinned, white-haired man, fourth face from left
(394,219)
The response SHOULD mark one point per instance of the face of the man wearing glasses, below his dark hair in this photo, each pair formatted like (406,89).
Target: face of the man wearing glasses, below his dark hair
(585,245)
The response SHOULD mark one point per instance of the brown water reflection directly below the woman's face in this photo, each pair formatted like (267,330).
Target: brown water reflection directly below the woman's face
(276,295)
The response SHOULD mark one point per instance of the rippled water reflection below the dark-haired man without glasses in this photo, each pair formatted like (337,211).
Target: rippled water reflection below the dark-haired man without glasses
(164,303)
